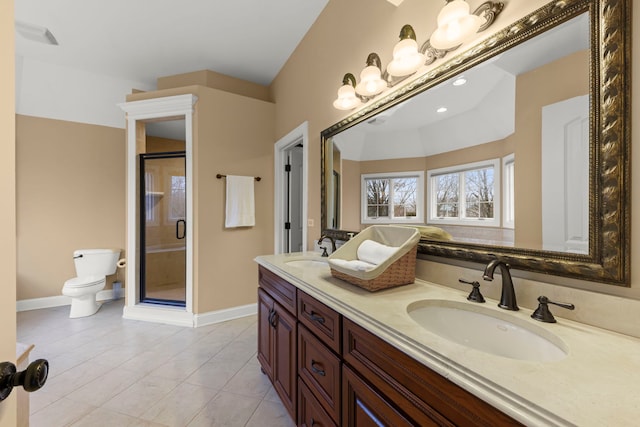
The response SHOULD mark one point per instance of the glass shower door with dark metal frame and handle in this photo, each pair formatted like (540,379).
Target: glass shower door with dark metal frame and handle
(163,228)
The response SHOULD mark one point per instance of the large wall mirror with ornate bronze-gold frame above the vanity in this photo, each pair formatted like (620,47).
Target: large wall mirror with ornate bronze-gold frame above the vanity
(518,148)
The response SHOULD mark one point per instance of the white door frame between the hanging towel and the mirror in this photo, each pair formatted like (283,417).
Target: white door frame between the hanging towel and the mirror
(299,135)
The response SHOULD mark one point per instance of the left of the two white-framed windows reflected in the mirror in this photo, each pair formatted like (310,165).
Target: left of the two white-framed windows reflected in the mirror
(393,198)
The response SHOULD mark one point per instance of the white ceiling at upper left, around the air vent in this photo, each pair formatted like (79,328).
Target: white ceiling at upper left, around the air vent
(141,40)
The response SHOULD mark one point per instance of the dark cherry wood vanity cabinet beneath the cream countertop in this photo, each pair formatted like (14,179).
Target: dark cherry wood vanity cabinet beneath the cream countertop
(330,372)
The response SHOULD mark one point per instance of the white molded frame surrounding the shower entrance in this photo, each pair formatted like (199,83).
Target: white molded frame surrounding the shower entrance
(139,112)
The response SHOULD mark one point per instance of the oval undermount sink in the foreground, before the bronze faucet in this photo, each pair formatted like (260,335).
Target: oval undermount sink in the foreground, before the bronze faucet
(487,330)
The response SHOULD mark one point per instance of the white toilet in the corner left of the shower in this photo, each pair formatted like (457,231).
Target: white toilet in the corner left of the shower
(92,267)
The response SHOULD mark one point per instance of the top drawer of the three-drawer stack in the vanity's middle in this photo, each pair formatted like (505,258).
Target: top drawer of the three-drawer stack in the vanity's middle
(321,320)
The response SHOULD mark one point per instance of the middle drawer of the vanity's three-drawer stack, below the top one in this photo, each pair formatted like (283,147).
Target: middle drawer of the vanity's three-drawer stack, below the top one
(319,368)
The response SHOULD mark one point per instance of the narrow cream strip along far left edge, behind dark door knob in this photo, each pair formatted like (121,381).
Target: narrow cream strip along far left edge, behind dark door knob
(8,411)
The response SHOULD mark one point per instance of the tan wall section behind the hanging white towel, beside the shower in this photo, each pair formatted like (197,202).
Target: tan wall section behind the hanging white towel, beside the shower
(233,135)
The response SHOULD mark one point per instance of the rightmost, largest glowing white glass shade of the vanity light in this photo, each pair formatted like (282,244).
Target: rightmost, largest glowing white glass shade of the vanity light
(455,25)
